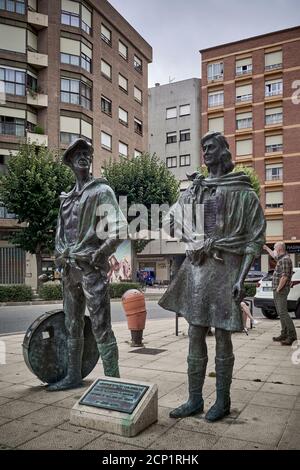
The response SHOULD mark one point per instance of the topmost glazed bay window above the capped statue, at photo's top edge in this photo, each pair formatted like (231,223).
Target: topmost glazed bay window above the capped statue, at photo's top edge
(77,15)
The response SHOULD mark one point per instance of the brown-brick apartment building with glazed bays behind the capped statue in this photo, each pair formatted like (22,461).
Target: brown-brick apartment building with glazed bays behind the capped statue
(68,69)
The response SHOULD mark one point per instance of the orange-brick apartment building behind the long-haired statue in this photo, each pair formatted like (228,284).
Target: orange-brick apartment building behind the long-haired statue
(251,92)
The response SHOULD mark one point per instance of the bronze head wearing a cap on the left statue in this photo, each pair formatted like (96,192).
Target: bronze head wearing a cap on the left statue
(79,156)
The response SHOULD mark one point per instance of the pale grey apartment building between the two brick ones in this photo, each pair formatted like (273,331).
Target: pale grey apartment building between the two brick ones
(174,135)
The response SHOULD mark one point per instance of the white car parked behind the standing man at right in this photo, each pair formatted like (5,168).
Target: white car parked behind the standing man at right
(264,295)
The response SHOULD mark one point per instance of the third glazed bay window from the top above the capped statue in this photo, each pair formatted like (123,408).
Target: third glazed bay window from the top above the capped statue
(76,92)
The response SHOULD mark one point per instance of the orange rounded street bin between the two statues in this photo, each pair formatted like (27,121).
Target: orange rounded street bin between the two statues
(135,308)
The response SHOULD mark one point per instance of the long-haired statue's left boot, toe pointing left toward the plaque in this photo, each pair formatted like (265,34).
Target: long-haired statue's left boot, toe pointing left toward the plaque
(196,377)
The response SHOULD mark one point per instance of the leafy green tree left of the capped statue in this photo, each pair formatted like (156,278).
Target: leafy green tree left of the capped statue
(31,189)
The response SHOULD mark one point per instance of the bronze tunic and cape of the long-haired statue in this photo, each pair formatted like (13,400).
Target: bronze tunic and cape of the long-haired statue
(234,225)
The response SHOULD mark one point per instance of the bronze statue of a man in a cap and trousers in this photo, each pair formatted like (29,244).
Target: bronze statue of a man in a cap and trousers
(83,257)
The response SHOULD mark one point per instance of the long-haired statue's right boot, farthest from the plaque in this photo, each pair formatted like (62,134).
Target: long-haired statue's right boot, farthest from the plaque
(221,407)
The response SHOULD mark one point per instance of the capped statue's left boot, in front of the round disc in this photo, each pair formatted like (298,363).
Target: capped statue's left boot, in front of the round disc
(73,378)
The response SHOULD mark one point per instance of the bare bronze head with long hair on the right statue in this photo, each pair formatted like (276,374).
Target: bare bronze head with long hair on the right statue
(216,151)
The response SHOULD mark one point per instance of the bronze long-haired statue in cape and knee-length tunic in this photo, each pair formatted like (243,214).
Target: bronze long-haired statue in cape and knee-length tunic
(208,287)
